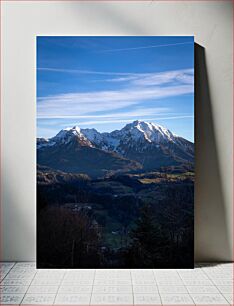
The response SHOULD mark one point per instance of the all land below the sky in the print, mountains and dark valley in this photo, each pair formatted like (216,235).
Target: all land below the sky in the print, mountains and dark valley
(96,206)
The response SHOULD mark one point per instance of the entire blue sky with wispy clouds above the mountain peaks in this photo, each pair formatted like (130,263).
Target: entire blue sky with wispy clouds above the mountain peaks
(107,82)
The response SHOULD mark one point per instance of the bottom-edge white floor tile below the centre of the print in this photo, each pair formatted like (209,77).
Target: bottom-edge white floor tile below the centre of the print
(112,299)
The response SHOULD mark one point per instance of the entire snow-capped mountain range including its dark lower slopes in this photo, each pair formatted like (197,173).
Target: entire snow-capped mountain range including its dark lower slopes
(138,145)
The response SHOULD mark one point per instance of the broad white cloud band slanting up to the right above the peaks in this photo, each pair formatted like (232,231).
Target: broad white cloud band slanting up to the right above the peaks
(88,102)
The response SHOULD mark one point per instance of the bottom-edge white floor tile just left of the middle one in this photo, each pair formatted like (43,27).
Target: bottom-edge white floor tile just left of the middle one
(72,299)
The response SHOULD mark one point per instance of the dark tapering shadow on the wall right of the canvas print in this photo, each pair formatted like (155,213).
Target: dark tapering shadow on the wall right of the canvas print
(211,232)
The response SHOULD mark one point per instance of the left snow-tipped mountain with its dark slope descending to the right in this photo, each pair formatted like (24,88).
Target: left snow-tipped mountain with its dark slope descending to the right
(70,151)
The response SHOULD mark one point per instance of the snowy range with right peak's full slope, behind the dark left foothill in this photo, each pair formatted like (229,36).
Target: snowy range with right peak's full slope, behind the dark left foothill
(149,144)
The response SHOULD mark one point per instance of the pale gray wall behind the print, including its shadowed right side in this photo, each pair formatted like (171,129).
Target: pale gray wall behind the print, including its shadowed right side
(211,24)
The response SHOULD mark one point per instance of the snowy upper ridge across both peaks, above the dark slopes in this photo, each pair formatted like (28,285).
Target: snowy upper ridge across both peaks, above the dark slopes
(139,135)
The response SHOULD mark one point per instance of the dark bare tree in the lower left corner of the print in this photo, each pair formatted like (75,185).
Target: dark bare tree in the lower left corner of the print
(67,239)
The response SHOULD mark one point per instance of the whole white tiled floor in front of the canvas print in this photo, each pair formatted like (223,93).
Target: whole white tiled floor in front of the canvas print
(207,284)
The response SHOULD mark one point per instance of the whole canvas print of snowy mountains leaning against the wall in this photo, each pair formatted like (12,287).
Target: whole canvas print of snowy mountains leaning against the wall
(115,152)
